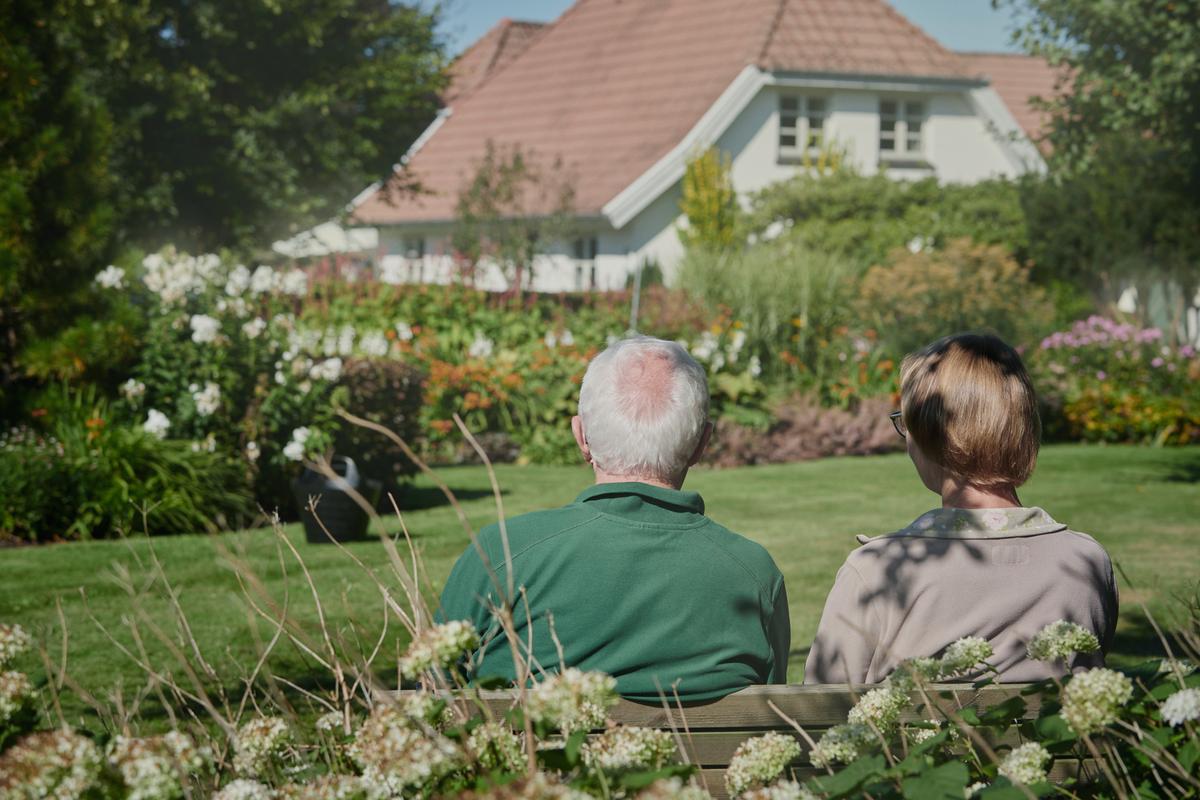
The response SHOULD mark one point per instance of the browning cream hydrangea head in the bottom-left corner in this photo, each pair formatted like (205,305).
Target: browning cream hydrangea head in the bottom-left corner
(59,765)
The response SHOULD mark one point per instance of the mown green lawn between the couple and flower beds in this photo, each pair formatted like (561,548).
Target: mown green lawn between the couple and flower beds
(1142,504)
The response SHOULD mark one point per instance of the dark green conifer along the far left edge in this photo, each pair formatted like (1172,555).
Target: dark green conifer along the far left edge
(56,190)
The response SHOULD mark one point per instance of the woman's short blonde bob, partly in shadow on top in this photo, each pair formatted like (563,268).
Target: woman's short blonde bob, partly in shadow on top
(969,406)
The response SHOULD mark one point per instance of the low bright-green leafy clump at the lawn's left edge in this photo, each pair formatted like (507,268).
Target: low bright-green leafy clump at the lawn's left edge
(88,473)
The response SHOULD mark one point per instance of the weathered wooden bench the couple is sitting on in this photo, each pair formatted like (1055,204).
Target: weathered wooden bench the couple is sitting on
(716,730)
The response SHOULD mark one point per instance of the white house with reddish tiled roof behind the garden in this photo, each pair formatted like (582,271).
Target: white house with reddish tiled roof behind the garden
(625,92)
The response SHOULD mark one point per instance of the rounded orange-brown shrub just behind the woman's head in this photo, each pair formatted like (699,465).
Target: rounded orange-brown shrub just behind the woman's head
(917,298)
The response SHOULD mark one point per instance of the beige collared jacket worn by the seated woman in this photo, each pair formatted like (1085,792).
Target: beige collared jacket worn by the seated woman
(999,574)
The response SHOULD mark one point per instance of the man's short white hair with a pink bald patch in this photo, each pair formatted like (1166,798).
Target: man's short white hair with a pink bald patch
(645,406)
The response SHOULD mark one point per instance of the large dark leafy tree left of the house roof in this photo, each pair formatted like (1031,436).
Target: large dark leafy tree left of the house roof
(238,123)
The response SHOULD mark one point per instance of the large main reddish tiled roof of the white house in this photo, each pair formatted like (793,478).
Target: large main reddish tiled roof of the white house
(613,86)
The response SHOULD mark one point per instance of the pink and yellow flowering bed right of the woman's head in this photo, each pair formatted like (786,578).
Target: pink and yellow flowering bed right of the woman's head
(1105,381)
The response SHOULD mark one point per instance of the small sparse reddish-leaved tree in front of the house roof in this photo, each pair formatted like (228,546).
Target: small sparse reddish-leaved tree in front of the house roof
(511,210)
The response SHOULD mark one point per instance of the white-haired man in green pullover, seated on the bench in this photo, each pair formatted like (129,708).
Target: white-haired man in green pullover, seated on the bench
(632,579)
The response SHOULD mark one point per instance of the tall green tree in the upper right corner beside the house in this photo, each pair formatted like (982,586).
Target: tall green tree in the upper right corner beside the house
(1124,200)
